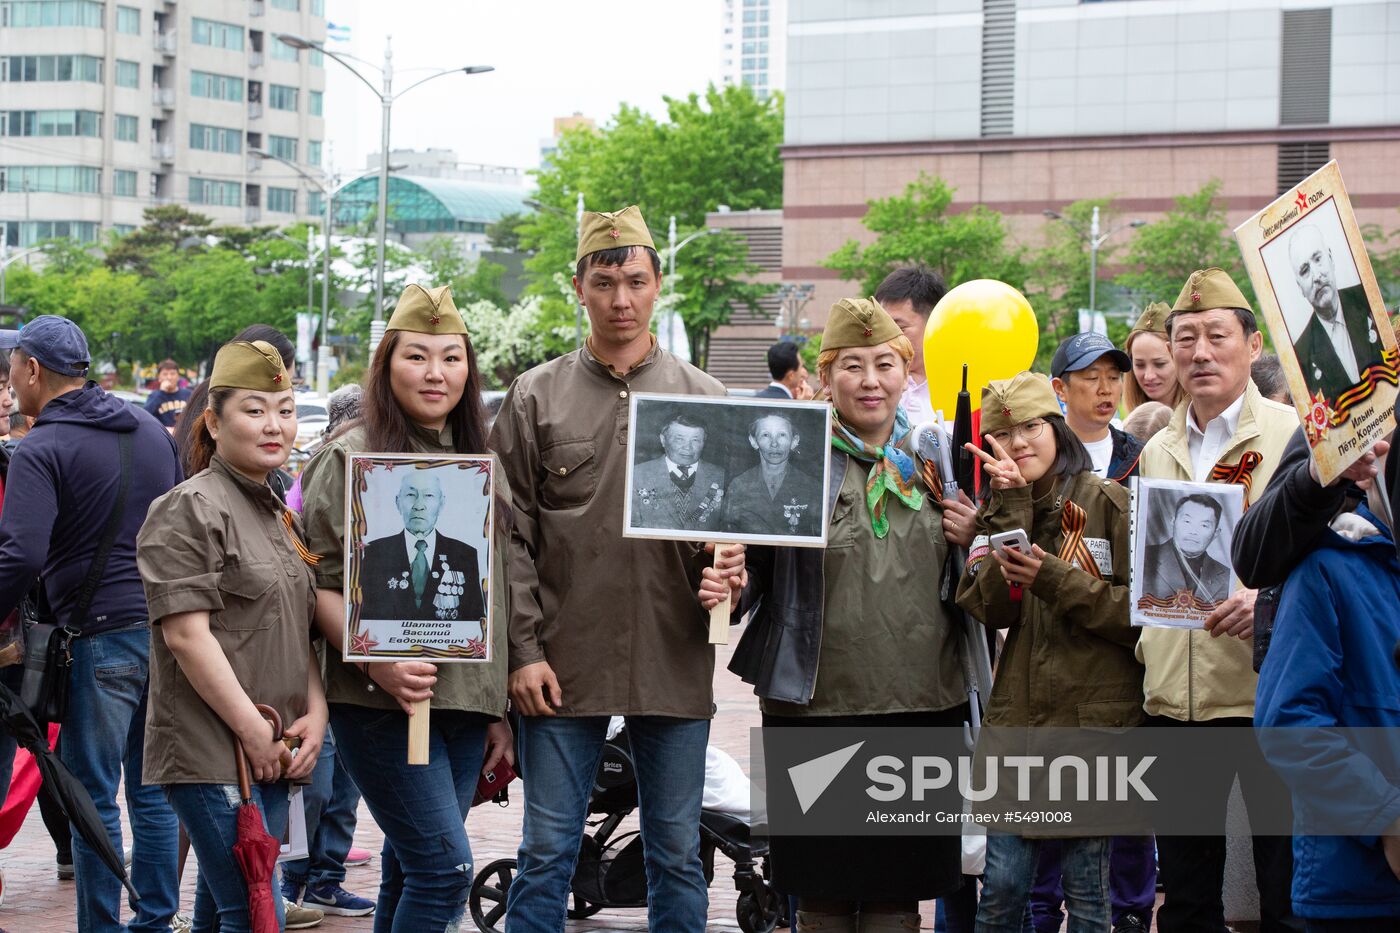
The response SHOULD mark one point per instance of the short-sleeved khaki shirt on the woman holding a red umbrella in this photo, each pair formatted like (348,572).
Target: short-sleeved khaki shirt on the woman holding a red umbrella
(218,544)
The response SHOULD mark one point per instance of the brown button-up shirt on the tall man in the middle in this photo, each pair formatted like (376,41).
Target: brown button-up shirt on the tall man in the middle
(617,618)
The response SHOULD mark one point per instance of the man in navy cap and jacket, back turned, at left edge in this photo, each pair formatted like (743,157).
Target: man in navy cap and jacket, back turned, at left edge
(82,483)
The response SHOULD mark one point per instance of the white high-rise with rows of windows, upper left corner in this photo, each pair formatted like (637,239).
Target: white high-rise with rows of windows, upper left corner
(113,107)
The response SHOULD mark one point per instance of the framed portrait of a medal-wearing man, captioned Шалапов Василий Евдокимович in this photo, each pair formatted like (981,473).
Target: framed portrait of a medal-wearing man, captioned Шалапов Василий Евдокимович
(419,558)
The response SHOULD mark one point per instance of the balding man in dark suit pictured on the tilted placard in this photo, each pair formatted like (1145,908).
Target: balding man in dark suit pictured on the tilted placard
(1340,338)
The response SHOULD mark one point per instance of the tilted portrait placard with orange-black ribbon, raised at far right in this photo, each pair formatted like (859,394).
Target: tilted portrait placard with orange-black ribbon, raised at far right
(1326,317)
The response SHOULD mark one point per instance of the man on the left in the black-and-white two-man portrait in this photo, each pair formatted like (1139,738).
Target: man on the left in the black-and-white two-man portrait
(678,490)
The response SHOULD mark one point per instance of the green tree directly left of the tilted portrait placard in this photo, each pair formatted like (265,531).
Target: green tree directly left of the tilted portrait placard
(1195,235)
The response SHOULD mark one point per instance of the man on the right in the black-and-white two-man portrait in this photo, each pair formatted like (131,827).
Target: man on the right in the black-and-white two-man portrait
(775,498)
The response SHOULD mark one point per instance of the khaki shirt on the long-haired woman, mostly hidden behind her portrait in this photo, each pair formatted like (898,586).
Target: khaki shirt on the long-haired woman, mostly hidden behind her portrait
(470,687)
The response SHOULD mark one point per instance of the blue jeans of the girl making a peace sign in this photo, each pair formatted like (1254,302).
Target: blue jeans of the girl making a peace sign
(1011,872)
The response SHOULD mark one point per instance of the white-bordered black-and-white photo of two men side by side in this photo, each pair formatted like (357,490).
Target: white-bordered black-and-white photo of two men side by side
(729,470)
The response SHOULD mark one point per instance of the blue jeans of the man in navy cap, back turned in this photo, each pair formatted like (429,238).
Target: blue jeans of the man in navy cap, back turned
(104,736)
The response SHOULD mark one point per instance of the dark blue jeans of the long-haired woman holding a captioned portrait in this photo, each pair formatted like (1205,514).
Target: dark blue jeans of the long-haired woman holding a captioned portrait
(426,865)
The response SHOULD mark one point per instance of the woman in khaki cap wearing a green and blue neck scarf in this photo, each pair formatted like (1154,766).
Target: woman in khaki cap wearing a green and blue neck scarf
(869,611)
